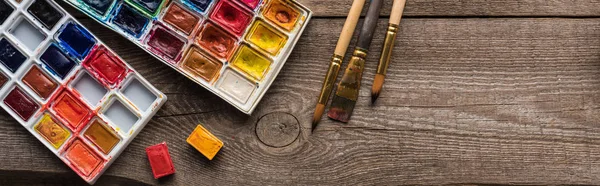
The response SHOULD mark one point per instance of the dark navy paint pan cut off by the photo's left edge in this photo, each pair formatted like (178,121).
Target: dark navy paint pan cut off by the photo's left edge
(10,56)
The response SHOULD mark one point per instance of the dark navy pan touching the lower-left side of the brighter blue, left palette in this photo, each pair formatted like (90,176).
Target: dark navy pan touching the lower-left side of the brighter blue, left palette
(57,61)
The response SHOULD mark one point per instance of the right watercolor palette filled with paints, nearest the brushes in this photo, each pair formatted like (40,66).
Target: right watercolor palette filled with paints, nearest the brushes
(234,48)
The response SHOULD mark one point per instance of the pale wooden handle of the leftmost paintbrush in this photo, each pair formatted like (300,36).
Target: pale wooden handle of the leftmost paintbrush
(349,26)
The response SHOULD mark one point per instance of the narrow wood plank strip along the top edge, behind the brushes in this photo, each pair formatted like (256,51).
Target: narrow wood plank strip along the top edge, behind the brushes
(462,8)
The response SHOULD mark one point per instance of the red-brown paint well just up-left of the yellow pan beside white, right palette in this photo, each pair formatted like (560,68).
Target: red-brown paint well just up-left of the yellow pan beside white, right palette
(216,40)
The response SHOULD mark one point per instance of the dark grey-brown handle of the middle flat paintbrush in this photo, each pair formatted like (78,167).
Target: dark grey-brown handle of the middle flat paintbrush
(368,29)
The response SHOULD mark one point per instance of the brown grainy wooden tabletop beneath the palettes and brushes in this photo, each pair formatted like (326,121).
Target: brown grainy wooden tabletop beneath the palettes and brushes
(479,92)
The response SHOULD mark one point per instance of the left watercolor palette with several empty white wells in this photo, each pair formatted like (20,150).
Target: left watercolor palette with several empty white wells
(68,89)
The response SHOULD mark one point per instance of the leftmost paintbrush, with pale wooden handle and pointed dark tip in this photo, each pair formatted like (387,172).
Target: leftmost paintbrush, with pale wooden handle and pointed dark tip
(336,60)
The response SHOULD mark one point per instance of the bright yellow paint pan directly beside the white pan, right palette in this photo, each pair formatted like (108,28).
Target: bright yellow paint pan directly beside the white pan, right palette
(251,62)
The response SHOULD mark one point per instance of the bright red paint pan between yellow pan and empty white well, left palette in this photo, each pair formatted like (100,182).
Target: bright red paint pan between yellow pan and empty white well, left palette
(72,110)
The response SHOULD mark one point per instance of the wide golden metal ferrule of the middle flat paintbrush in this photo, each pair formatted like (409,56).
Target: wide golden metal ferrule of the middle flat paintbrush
(350,83)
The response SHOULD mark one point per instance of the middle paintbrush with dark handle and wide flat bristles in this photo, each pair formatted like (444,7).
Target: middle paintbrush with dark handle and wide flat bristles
(346,95)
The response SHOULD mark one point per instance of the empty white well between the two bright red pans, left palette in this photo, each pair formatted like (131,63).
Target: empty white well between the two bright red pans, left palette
(90,89)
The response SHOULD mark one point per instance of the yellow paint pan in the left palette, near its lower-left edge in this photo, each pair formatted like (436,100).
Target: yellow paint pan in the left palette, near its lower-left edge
(52,131)
